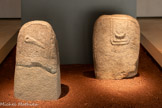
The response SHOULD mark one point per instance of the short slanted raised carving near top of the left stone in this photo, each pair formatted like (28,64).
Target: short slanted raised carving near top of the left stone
(31,40)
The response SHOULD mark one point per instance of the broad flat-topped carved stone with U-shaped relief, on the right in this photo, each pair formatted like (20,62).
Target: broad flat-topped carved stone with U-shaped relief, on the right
(116,43)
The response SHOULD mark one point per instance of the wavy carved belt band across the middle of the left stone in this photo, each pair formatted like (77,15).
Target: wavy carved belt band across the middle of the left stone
(36,64)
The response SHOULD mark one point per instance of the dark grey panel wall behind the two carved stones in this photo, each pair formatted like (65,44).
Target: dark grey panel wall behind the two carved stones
(73,21)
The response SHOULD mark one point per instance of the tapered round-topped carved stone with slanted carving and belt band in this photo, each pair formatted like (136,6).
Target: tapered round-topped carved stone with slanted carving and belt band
(37,72)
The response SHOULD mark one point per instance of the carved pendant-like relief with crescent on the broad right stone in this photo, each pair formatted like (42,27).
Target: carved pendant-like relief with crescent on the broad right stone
(119,35)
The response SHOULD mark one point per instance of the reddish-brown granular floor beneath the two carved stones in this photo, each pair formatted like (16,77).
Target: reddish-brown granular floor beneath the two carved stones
(81,90)
